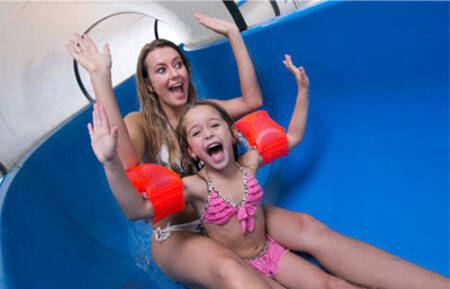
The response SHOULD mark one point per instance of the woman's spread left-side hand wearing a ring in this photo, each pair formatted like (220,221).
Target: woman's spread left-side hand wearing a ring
(85,52)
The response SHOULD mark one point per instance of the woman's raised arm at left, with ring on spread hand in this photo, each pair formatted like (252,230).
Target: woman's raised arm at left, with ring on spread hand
(131,141)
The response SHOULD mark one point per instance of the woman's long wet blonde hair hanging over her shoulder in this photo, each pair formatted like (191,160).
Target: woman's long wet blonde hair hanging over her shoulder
(157,127)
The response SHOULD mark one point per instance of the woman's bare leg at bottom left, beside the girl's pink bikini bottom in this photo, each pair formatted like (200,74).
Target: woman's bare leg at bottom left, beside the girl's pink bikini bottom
(197,261)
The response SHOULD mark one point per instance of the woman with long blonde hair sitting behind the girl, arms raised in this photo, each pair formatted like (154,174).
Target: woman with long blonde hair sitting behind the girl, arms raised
(163,79)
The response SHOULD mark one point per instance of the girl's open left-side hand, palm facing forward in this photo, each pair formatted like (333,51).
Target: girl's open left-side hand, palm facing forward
(103,138)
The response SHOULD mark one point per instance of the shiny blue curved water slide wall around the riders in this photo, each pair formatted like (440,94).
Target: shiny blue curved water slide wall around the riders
(373,165)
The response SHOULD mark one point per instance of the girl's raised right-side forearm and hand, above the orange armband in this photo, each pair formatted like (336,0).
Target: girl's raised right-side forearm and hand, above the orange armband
(297,125)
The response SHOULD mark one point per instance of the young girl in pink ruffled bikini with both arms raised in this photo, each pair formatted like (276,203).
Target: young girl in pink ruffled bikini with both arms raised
(225,190)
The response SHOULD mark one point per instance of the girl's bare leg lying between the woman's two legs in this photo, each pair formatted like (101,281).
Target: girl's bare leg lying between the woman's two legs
(297,273)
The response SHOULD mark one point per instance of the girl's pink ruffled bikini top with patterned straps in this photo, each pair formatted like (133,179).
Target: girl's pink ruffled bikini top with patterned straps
(219,210)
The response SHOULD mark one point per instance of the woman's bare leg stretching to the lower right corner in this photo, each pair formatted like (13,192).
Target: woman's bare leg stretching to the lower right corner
(346,257)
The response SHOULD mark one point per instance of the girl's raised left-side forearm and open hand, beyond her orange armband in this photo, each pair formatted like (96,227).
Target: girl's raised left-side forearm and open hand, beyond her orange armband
(104,145)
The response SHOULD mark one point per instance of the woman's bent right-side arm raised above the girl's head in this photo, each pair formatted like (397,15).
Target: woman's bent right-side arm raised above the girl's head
(251,98)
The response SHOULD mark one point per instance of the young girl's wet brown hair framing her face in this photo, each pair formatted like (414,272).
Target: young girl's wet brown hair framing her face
(188,163)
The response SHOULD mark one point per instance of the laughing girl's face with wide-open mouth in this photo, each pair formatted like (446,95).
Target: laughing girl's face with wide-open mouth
(209,137)
